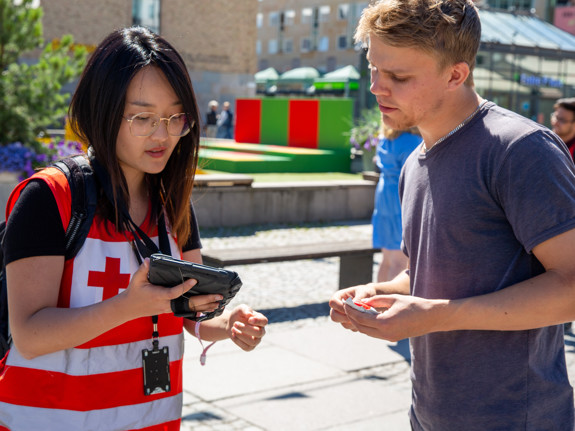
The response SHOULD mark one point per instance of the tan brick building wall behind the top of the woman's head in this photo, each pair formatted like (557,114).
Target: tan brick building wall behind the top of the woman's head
(216,38)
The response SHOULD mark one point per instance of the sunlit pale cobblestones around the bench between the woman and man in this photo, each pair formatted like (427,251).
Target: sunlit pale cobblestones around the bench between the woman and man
(289,290)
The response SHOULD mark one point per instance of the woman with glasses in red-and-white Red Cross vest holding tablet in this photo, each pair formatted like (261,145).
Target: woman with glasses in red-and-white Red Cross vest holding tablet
(82,328)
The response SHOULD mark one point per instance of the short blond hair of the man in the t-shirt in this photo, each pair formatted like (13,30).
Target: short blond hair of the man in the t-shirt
(449,30)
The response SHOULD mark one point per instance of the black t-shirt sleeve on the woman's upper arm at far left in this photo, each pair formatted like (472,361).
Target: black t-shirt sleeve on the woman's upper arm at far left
(34,227)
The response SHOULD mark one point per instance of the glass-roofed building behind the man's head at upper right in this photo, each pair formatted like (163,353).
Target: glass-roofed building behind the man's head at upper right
(524,63)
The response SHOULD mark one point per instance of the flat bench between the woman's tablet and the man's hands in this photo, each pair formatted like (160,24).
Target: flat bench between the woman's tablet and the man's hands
(355,267)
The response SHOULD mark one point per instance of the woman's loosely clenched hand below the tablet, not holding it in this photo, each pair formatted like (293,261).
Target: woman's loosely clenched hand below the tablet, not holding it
(246,327)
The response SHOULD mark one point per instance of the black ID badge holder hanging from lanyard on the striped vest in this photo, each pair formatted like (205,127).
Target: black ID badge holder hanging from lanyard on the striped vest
(156,365)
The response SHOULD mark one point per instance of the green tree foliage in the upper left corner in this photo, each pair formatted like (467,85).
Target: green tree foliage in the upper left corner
(30,94)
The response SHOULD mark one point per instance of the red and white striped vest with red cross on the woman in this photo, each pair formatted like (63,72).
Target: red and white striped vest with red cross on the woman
(97,385)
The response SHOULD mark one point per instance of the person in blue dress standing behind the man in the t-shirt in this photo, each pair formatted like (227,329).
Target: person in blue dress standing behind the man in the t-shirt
(392,150)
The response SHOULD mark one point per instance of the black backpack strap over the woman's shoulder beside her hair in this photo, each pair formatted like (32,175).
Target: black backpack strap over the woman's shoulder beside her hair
(82,183)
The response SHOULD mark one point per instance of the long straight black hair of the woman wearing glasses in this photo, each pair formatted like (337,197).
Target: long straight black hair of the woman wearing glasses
(97,108)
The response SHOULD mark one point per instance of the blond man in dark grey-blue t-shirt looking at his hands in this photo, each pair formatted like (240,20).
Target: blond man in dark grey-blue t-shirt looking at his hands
(488,207)
